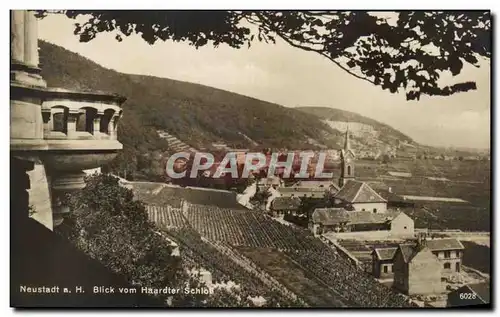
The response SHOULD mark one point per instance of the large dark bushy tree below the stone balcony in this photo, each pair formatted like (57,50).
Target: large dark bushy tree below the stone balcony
(112,227)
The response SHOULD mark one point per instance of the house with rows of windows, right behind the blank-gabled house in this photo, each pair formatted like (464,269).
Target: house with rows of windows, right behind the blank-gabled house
(449,252)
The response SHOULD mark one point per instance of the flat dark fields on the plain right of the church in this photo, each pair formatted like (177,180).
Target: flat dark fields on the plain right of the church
(468,180)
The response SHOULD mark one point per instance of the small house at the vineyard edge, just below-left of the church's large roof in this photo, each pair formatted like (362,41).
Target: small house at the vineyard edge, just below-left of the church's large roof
(324,220)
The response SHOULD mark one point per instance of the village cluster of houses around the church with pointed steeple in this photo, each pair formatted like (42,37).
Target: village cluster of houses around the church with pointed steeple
(350,215)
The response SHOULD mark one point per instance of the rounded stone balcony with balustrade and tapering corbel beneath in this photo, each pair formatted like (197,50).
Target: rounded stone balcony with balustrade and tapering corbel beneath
(80,130)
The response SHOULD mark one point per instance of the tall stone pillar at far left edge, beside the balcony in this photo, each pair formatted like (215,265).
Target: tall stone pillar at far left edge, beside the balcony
(26,124)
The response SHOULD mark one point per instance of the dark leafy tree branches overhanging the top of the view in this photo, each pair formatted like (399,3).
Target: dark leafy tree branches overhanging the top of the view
(406,50)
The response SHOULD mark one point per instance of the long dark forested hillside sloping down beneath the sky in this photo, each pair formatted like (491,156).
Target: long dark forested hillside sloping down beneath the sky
(197,115)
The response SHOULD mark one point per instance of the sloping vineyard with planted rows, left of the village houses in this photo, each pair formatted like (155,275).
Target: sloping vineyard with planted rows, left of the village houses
(303,264)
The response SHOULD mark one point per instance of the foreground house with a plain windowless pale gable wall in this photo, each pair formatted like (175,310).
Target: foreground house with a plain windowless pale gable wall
(417,271)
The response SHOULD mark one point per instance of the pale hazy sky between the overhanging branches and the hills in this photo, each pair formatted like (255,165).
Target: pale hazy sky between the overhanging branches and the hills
(292,77)
